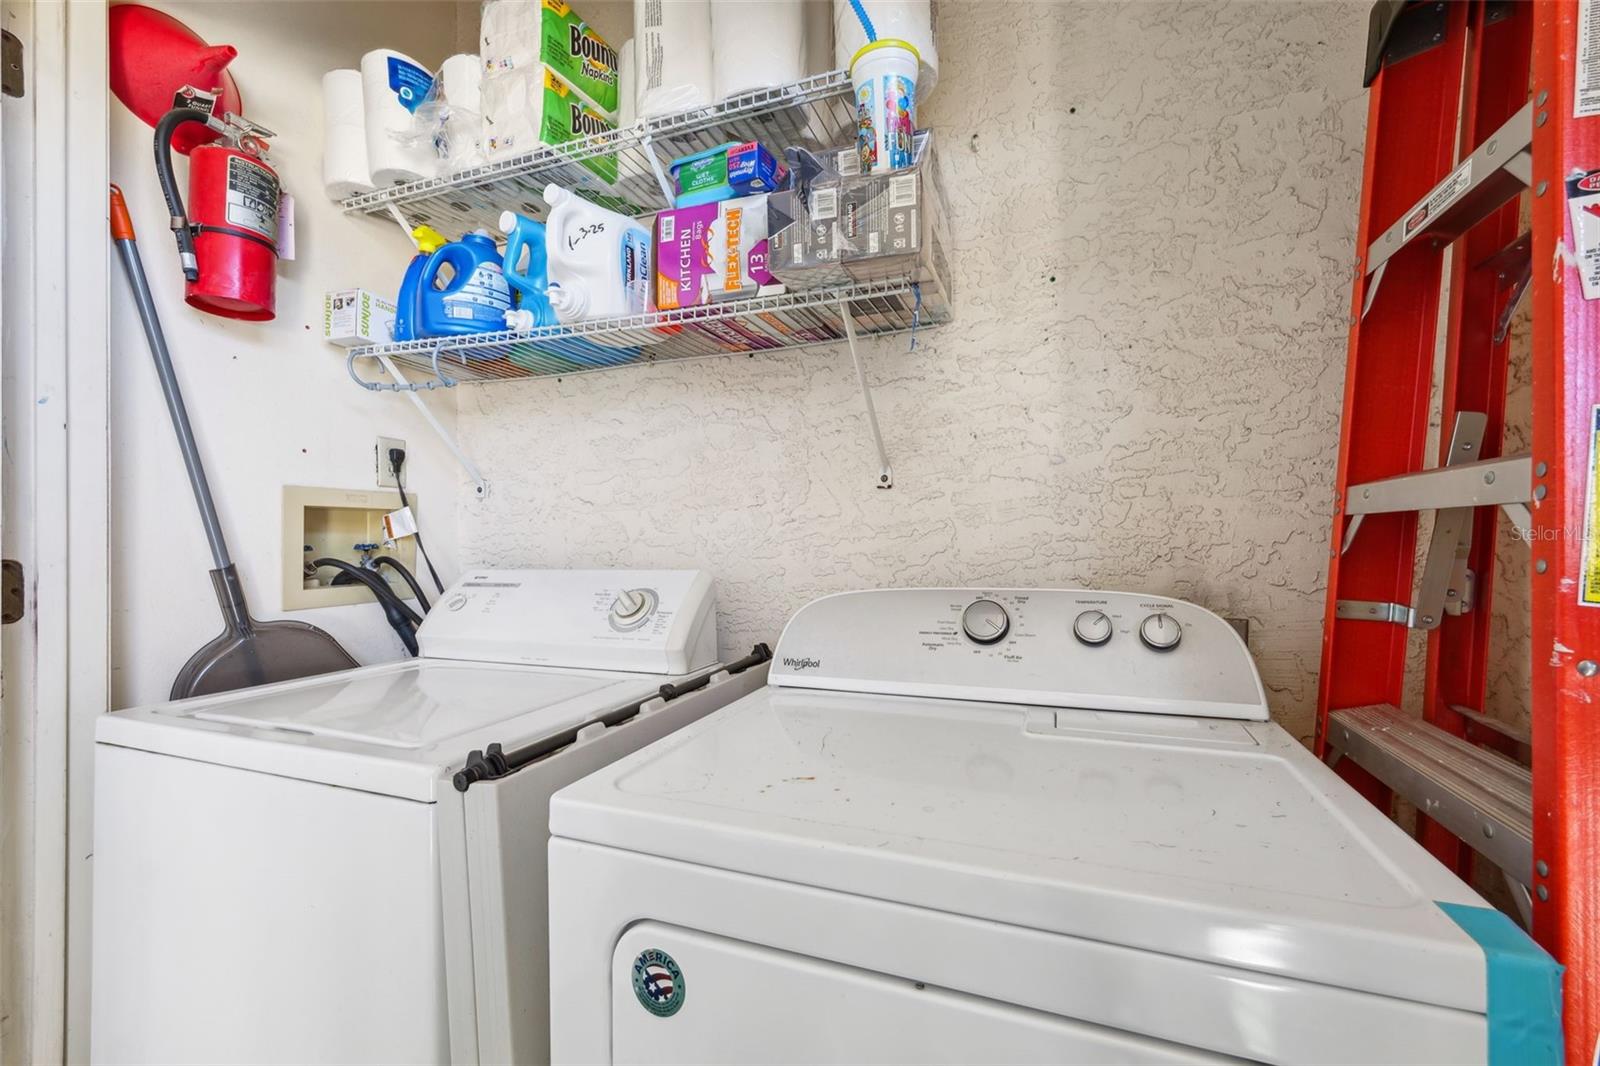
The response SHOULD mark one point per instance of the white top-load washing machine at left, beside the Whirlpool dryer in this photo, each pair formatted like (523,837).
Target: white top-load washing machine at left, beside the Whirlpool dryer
(353,868)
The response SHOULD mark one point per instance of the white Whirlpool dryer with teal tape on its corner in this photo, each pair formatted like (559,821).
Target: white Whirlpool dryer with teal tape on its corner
(1014,827)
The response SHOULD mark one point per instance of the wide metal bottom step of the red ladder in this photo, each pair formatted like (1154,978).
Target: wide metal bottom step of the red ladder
(1478,795)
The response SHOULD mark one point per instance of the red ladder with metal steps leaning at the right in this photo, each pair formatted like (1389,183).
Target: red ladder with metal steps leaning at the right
(1473,105)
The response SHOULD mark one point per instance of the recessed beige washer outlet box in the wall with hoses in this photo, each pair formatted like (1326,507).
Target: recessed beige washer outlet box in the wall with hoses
(330,523)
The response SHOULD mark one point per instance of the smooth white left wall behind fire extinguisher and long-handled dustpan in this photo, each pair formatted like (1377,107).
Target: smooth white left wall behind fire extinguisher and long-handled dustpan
(271,404)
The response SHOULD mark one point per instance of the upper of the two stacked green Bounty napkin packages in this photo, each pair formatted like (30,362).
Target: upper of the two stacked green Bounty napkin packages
(524,36)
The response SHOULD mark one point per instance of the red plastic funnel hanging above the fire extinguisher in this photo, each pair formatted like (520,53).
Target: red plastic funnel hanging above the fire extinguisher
(153,55)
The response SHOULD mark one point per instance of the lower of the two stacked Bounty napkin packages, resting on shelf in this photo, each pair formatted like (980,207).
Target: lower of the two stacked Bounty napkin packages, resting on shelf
(524,110)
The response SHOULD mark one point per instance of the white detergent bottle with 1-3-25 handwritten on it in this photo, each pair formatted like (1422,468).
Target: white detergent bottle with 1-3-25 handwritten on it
(599,262)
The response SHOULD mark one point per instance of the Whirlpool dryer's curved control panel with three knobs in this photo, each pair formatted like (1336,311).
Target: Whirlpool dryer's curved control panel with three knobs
(1042,647)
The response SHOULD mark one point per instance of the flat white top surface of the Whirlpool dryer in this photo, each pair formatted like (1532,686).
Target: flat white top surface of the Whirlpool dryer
(1218,841)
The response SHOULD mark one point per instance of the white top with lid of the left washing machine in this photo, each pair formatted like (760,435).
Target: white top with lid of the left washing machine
(399,729)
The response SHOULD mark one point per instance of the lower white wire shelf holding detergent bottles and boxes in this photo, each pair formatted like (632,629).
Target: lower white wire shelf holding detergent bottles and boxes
(766,324)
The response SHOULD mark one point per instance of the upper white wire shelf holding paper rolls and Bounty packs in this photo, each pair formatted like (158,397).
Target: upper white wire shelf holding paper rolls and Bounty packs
(817,111)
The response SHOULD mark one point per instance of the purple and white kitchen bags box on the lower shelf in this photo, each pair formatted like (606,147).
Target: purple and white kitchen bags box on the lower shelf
(713,252)
